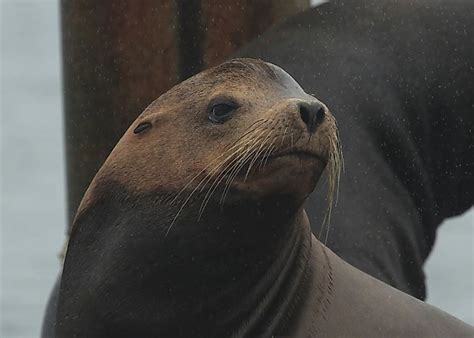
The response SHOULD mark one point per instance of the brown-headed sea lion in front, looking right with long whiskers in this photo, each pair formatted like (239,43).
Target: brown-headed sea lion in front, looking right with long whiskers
(195,227)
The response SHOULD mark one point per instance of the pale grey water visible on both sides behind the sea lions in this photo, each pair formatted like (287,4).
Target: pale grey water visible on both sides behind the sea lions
(33,191)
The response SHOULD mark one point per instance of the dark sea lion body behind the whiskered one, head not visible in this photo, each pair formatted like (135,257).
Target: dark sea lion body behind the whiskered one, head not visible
(398,76)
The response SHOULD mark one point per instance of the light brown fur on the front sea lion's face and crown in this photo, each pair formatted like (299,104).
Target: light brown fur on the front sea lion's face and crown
(183,143)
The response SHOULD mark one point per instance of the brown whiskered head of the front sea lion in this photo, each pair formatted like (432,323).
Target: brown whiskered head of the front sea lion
(243,129)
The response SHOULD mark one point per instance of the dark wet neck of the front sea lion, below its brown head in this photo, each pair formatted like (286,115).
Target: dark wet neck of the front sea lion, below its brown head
(213,272)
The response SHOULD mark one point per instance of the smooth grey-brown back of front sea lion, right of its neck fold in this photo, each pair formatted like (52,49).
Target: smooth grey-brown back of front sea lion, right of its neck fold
(354,304)
